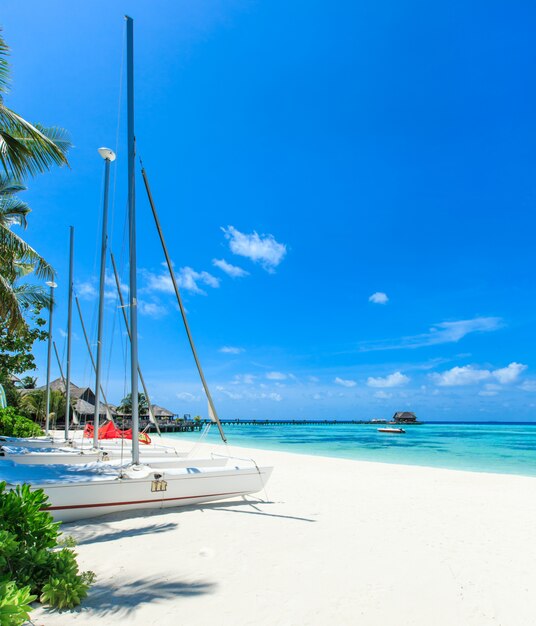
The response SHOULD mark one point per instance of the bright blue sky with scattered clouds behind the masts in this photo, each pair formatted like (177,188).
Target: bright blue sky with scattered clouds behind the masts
(347,190)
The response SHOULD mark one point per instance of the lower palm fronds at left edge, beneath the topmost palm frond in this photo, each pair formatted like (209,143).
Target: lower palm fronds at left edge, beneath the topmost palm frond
(17,258)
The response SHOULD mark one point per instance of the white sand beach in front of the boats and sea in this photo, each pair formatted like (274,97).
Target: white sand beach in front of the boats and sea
(331,542)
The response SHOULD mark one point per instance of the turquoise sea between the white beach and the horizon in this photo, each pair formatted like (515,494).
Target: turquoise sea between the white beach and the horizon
(501,448)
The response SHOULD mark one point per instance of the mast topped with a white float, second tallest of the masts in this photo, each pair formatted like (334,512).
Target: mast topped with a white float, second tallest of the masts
(108,157)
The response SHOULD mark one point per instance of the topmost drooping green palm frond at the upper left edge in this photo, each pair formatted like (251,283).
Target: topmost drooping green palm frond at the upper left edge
(25,148)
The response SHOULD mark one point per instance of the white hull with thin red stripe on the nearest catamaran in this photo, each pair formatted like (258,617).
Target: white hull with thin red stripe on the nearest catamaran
(149,488)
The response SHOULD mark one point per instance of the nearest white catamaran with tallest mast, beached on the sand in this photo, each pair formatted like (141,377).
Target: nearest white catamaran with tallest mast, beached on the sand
(80,491)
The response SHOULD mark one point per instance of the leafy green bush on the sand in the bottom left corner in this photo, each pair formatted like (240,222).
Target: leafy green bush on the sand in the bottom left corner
(32,559)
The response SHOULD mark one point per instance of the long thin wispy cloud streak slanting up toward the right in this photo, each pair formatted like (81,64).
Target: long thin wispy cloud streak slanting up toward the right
(445,332)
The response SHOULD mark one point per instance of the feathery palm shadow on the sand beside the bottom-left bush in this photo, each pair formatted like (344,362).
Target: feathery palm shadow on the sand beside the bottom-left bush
(121,597)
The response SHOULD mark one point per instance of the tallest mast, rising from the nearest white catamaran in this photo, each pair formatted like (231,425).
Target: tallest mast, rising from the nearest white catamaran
(133,296)
